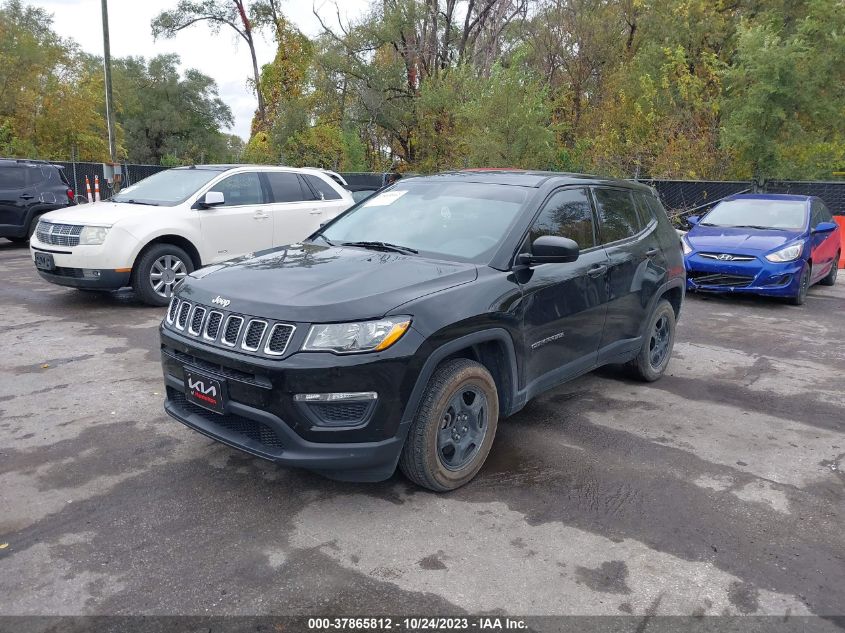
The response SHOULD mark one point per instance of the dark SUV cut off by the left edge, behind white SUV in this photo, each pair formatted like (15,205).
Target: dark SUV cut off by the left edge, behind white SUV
(29,188)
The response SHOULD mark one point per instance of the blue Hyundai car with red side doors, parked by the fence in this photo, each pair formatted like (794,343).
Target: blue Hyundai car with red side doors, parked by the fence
(774,245)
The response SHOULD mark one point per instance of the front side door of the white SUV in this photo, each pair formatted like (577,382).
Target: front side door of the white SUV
(243,223)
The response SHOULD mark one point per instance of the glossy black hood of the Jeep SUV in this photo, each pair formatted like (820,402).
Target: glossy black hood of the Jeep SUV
(314,283)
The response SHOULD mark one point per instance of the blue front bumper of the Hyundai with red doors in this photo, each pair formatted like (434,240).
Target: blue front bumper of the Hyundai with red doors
(756,276)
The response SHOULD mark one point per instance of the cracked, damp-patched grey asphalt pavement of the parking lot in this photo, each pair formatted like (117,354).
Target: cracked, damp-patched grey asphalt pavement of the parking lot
(719,489)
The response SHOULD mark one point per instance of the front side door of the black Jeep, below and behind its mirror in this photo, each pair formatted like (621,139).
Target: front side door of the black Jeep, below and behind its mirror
(564,304)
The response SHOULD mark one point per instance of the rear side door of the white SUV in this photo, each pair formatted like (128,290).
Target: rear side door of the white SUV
(296,210)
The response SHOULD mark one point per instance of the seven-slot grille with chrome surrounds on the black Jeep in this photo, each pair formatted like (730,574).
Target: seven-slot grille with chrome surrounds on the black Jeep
(231,330)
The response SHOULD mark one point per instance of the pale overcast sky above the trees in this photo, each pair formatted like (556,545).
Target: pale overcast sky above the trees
(224,57)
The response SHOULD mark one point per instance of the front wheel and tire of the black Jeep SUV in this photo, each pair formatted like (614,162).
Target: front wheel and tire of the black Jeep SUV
(454,428)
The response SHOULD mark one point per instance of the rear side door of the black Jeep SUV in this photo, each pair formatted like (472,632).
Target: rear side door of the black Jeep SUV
(637,265)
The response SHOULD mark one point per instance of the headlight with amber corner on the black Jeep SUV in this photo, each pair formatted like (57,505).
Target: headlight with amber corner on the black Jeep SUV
(367,336)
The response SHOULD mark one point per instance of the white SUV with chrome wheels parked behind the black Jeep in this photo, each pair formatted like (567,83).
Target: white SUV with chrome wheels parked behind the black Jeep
(152,234)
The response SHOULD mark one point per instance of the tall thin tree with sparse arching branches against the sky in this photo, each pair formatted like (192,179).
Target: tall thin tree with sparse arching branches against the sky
(233,14)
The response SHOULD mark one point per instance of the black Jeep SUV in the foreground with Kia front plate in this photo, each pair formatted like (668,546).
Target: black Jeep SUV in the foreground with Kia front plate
(403,330)
